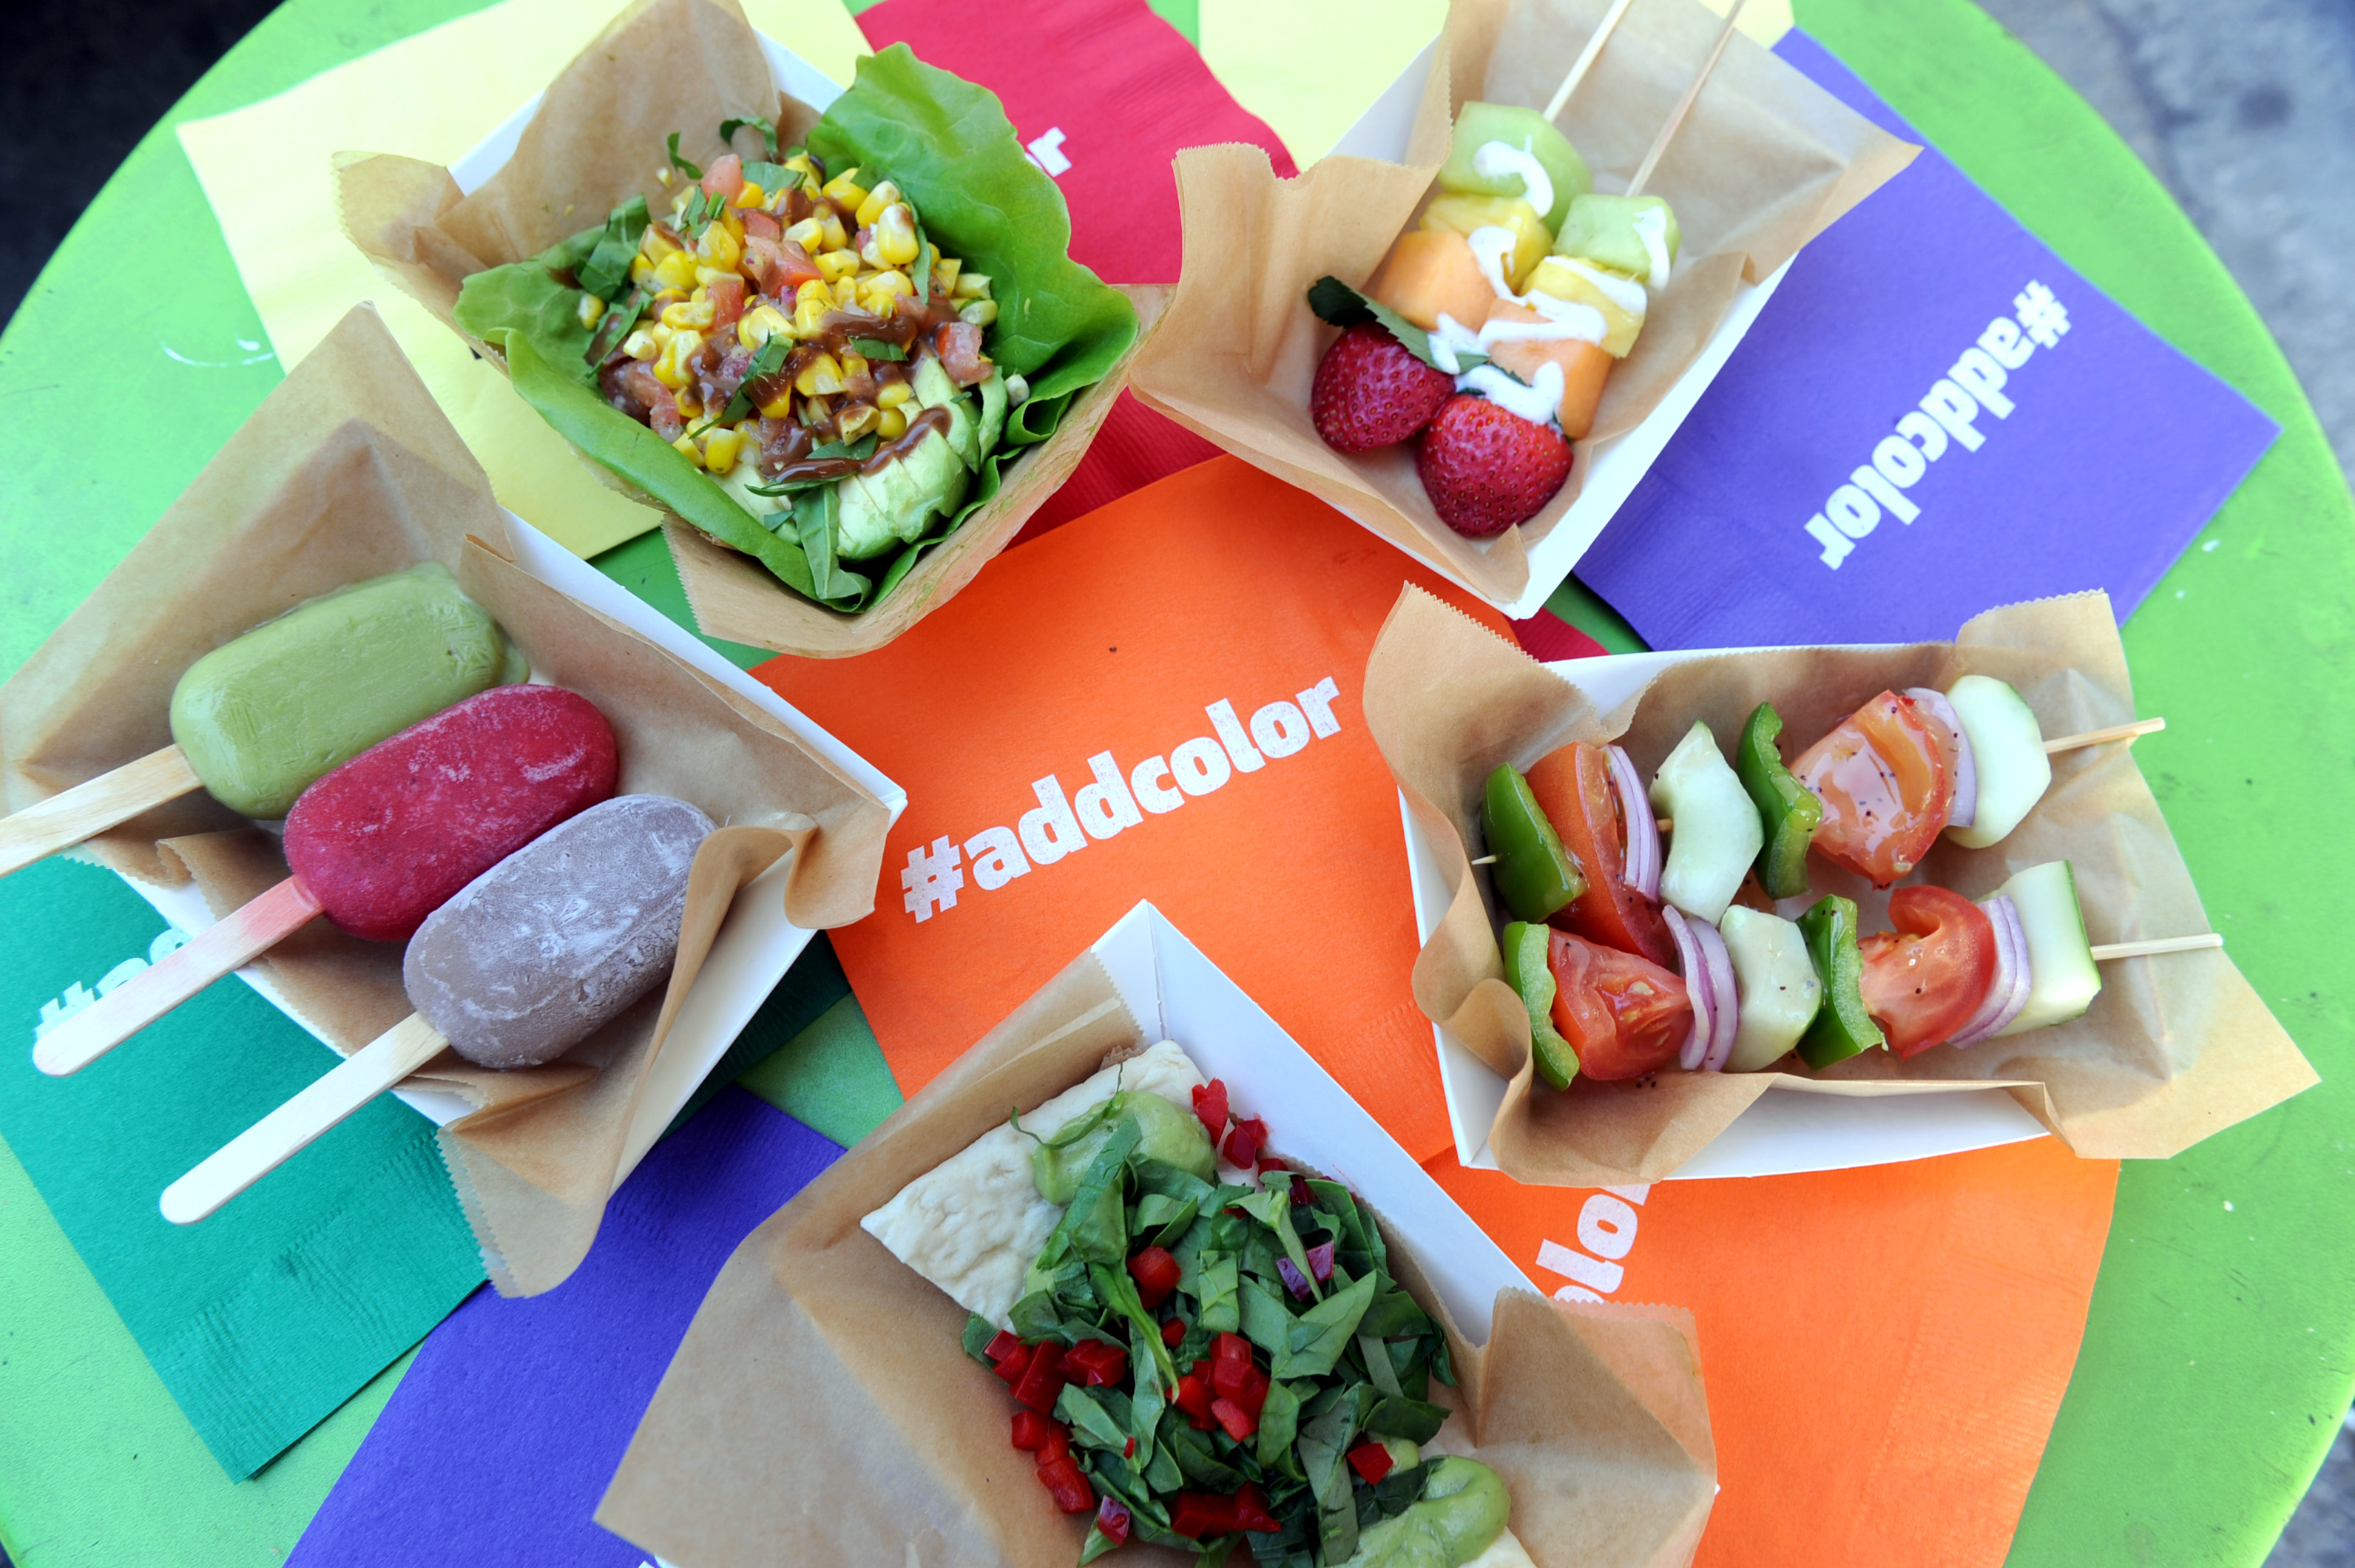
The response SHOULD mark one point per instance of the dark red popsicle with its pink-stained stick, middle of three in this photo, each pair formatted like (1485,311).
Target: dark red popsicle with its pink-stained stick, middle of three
(385,842)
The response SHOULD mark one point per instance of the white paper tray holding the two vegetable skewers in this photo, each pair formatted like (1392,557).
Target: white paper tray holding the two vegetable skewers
(1796,1127)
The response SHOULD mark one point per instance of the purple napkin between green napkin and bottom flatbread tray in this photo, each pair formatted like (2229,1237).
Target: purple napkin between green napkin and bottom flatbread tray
(515,1416)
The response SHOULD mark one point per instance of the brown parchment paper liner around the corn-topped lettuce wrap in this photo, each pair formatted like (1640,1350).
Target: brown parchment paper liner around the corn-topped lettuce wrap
(595,142)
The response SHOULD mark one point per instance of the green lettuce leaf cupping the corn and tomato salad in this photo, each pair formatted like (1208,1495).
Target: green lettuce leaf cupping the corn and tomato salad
(953,154)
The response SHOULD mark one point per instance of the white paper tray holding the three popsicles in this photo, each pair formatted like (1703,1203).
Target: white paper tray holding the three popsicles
(757,943)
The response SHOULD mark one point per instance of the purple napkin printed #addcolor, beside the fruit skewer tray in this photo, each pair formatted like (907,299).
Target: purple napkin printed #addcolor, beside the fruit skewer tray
(1932,418)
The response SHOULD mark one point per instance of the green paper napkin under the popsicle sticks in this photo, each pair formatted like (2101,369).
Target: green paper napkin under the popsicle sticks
(298,1294)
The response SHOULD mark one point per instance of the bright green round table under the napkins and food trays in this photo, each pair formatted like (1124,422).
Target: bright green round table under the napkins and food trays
(2217,1357)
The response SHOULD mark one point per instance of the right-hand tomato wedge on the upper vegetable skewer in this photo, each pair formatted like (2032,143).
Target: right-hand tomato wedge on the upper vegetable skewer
(1885,785)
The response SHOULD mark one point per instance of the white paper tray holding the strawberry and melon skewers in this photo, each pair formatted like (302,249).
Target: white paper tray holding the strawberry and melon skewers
(1612,467)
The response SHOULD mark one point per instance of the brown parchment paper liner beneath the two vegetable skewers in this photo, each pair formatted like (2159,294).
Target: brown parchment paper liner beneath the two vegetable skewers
(2172,1051)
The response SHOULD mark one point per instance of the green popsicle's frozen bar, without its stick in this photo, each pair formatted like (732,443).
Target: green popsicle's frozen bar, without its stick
(265,717)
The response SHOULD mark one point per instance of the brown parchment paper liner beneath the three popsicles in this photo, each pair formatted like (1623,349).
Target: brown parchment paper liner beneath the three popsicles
(343,474)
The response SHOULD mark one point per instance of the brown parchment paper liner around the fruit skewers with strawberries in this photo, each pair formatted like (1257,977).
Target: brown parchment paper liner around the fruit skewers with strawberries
(1763,166)
